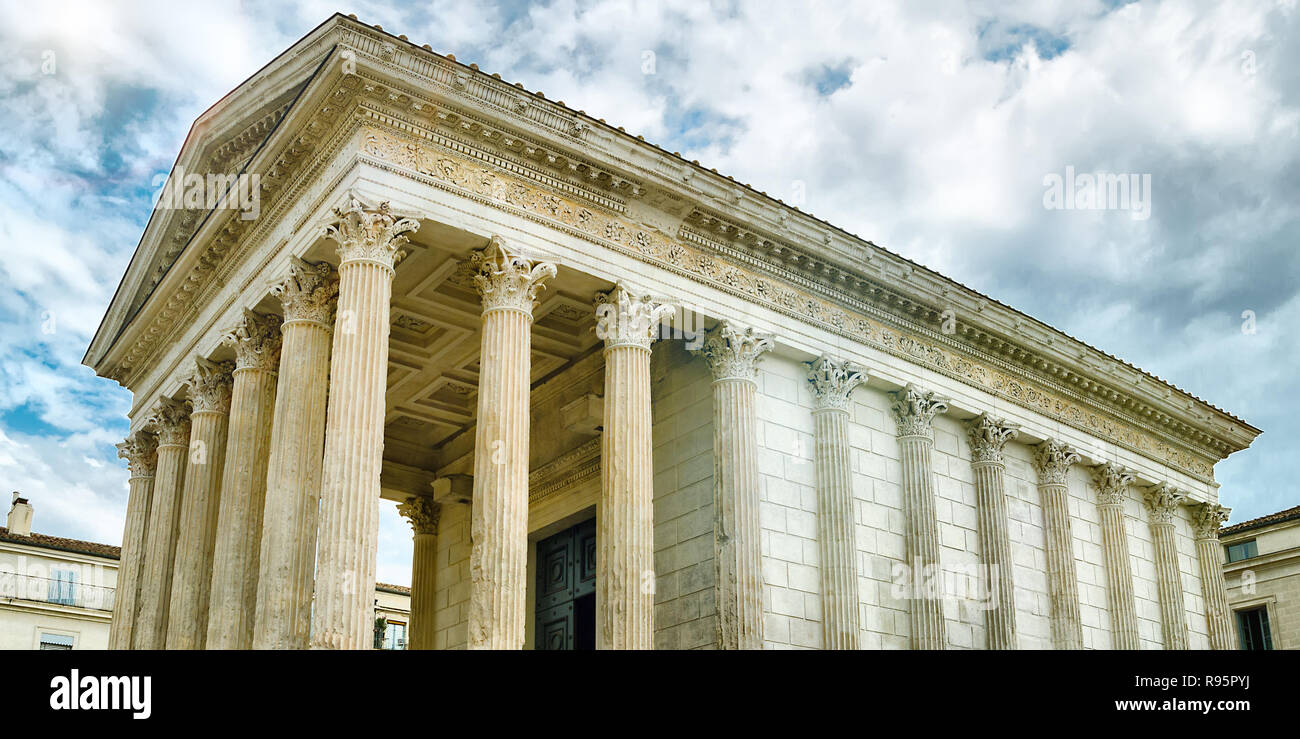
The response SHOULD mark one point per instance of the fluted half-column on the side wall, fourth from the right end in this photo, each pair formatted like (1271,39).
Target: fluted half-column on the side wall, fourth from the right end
(1054,460)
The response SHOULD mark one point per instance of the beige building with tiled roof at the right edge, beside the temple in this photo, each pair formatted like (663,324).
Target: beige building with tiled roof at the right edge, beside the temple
(1263,573)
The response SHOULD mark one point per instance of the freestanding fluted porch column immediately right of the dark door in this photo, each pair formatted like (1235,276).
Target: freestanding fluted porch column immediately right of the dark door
(625,560)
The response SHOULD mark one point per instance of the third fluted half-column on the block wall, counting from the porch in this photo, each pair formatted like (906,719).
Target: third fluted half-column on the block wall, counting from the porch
(915,412)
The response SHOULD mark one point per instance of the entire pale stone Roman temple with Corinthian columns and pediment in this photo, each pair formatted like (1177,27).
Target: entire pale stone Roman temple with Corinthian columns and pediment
(625,401)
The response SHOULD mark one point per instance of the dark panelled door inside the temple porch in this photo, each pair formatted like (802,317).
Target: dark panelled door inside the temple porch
(566,590)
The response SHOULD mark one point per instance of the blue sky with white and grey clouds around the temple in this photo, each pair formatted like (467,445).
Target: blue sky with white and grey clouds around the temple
(929,128)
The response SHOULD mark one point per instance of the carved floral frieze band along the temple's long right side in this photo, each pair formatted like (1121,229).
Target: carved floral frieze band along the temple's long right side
(484,183)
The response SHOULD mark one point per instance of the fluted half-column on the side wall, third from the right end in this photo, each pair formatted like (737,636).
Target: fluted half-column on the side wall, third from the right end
(1112,482)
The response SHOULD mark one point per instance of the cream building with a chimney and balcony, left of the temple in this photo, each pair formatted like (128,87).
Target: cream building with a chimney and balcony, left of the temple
(55,593)
